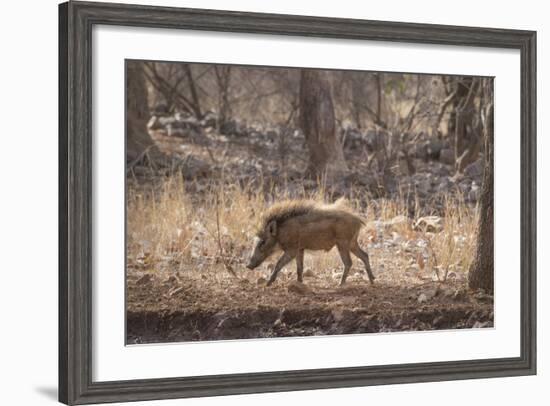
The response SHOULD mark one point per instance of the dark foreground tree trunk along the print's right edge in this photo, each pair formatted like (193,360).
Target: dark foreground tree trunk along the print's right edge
(481,274)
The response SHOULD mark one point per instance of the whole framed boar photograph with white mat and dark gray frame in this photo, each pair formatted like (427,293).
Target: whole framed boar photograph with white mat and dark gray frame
(258,203)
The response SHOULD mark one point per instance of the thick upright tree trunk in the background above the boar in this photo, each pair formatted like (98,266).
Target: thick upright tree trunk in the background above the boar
(317,121)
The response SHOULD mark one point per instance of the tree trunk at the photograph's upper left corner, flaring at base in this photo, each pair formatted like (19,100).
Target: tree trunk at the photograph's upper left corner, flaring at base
(138,140)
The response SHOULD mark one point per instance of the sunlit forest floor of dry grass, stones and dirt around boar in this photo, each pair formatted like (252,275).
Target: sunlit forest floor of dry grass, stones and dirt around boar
(190,233)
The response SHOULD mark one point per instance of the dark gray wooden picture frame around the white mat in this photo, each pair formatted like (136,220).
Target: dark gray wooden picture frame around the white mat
(76,20)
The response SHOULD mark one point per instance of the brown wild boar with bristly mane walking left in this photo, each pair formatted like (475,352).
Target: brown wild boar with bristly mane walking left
(298,225)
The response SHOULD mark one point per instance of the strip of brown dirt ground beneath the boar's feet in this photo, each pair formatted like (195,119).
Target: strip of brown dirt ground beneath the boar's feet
(180,308)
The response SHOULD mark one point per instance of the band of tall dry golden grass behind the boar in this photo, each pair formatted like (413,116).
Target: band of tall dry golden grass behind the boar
(171,230)
